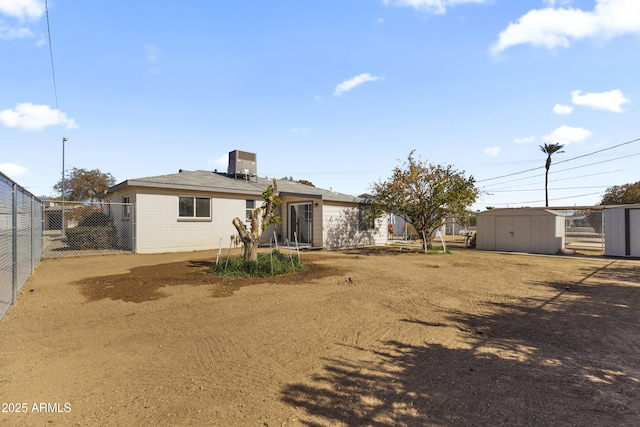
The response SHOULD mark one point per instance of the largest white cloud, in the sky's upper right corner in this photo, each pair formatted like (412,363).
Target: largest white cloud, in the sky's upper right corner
(555,27)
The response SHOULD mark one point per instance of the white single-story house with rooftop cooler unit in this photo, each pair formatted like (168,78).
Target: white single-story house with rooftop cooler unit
(194,210)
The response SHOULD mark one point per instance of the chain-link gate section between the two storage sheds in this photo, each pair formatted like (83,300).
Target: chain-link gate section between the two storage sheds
(584,228)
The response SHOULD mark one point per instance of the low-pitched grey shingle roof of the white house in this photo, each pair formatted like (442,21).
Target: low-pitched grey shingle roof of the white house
(202,180)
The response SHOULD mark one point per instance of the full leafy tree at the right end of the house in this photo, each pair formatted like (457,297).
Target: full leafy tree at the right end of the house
(424,194)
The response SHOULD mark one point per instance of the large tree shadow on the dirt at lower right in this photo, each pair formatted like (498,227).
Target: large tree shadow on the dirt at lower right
(572,359)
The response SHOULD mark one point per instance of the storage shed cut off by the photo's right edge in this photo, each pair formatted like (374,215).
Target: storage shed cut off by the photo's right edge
(622,230)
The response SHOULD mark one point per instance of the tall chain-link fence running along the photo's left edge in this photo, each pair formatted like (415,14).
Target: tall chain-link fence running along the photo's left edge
(20,239)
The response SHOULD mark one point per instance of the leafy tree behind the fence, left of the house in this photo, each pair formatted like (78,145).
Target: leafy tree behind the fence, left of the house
(83,185)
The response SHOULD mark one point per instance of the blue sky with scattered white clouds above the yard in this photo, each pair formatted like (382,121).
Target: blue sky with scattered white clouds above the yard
(336,92)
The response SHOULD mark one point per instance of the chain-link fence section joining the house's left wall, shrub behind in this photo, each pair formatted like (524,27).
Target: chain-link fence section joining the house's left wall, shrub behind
(75,228)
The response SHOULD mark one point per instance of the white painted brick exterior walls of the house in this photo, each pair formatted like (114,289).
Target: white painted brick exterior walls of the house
(158,228)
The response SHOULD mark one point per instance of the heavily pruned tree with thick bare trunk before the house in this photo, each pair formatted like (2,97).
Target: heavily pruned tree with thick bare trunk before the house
(263,214)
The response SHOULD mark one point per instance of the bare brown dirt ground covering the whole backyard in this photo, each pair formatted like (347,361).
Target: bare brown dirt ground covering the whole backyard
(362,338)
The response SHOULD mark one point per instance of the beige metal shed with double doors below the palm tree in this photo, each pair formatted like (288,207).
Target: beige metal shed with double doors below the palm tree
(530,230)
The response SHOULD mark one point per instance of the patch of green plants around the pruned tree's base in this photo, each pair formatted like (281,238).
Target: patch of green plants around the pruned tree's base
(266,265)
